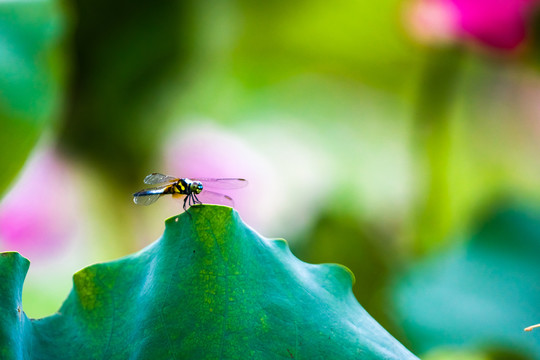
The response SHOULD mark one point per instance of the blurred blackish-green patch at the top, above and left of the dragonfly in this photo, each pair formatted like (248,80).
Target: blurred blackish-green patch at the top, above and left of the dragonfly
(128,59)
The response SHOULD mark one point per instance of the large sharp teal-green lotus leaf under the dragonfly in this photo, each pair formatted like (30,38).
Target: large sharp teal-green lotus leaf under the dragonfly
(209,288)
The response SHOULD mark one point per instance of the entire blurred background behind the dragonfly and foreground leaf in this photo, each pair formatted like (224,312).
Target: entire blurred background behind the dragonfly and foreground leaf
(399,138)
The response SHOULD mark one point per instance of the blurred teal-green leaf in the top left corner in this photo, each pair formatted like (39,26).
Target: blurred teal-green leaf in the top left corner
(32,70)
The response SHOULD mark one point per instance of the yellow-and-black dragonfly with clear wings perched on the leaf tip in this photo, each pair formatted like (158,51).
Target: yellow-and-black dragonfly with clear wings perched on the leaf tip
(190,188)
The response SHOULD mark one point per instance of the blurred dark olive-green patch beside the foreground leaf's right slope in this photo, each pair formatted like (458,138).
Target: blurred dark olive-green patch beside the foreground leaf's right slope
(369,252)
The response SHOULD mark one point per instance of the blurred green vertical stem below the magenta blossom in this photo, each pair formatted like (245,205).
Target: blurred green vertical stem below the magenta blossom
(432,129)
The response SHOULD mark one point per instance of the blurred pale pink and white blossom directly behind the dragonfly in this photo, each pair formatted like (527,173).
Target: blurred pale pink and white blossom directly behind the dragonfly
(280,164)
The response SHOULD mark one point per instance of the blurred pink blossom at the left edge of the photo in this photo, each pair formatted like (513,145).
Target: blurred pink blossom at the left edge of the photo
(36,216)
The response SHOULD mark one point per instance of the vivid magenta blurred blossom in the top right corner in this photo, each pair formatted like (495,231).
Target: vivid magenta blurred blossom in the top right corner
(500,24)
